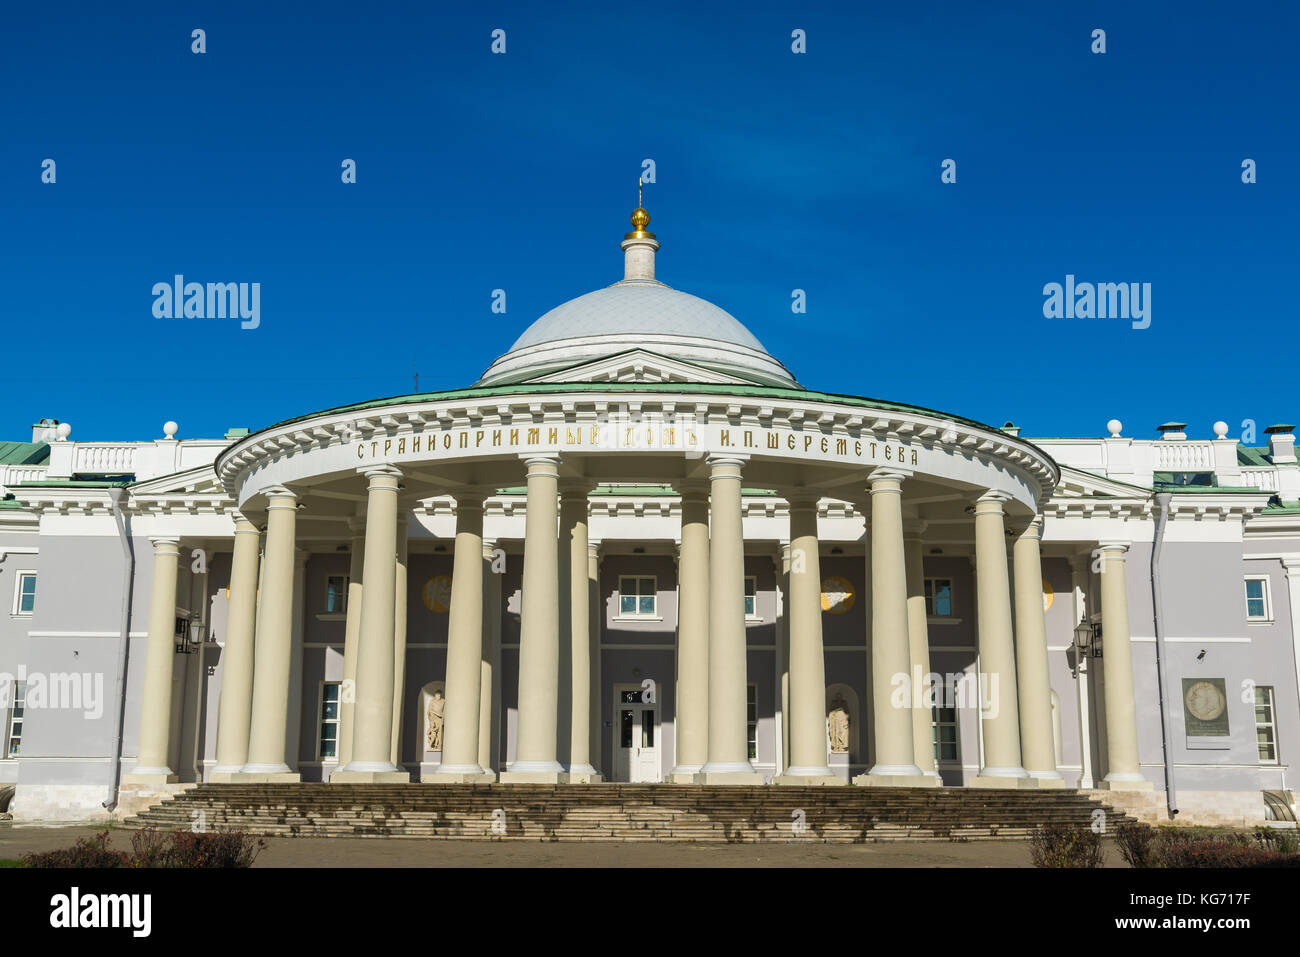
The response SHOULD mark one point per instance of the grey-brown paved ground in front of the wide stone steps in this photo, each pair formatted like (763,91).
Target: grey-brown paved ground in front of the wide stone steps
(415,852)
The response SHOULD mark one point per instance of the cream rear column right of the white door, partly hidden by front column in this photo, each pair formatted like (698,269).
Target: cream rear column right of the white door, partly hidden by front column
(692,696)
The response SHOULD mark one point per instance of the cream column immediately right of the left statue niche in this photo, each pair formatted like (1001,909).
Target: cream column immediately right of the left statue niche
(463,717)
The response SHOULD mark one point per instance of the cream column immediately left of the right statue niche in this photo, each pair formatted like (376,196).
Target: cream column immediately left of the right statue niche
(808,659)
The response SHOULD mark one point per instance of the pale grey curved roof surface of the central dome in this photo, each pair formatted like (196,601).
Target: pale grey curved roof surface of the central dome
(638,308)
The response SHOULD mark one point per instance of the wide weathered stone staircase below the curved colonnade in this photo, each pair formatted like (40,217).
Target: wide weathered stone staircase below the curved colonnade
(622,812)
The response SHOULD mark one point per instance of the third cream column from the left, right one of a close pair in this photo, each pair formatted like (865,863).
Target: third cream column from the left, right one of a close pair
(274,647)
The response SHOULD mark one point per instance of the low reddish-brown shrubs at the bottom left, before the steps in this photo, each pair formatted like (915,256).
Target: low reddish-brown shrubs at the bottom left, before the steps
(154,850)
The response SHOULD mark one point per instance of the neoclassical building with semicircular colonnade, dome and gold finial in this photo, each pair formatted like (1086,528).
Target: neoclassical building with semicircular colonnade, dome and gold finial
(640,551)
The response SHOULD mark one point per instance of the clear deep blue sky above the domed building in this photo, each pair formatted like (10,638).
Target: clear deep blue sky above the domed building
(774,172)
